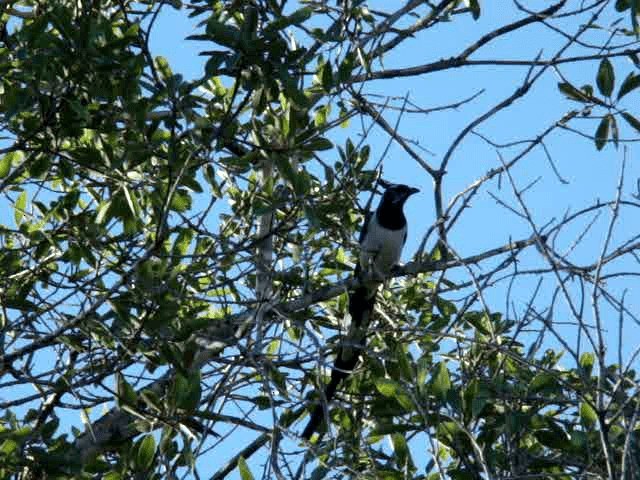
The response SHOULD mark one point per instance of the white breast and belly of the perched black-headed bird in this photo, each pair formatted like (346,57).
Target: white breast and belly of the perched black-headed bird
(381,247)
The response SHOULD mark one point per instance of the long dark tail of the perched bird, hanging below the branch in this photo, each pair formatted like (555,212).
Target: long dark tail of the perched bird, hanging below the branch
(361,303)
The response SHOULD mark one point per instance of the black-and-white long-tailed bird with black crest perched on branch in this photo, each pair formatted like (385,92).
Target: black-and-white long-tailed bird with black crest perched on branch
(382,238)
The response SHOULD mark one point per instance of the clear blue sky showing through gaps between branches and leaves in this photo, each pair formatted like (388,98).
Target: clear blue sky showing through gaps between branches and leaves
(590,174)
